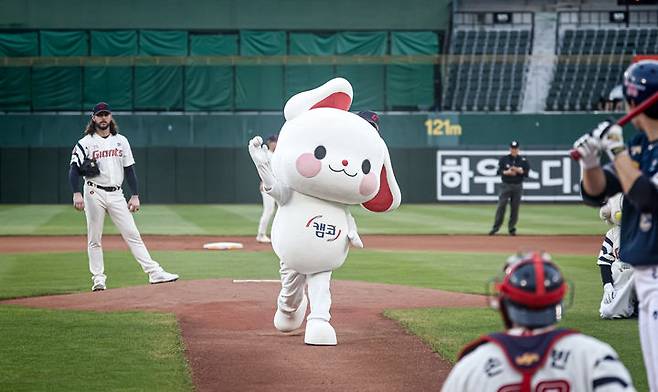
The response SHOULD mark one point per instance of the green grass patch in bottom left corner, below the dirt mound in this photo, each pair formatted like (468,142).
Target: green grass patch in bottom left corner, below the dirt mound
(85,351)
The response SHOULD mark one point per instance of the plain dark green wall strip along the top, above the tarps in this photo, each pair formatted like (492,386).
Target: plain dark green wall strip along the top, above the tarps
(226,14)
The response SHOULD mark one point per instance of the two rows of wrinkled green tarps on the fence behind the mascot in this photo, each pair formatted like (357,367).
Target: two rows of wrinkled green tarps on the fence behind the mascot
(170,70)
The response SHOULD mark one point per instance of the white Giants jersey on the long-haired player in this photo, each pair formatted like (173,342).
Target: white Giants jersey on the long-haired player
(112,154)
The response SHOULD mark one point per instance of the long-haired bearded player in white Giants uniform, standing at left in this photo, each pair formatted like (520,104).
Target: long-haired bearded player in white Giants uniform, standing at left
(103,157)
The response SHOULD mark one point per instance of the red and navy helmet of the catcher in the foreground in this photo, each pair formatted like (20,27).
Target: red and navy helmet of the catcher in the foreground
(531,291)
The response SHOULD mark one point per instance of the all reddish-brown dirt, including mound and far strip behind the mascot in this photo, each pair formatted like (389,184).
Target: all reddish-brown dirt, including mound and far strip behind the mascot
(231,344)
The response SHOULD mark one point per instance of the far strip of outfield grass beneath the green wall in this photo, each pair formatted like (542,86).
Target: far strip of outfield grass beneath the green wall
(242,219)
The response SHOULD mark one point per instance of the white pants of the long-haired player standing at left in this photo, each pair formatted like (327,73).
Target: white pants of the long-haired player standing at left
(97,203)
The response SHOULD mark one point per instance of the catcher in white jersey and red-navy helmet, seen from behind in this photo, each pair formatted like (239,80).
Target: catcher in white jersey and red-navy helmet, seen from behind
(532,355)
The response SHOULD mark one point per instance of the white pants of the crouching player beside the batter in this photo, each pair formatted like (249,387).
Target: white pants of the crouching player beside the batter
(623,305)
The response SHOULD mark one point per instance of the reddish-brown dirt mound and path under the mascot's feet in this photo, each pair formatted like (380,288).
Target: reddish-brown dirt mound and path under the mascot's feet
(232,344)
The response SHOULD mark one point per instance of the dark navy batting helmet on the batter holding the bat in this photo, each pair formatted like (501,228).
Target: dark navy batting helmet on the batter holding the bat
(640,83)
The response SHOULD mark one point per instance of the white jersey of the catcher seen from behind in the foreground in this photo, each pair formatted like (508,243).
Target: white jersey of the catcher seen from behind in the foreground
(576,362)
